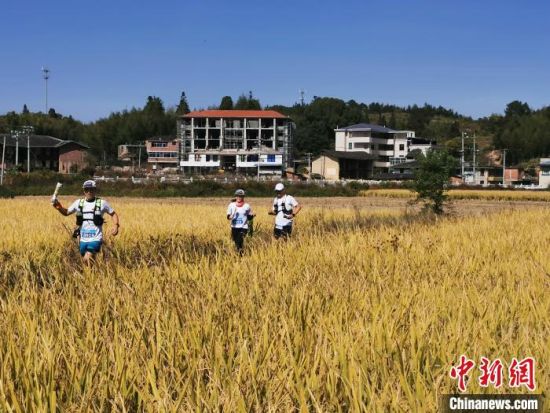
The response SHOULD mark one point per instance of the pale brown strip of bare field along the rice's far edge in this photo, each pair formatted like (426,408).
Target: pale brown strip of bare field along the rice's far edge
(460,207)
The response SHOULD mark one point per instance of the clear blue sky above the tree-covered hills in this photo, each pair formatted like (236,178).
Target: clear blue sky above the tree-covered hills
(104,56)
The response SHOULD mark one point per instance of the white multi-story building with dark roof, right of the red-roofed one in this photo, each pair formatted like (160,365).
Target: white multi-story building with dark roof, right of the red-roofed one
(390,147)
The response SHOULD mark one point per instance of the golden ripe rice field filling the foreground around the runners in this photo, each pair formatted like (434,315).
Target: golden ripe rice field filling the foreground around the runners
(365,309)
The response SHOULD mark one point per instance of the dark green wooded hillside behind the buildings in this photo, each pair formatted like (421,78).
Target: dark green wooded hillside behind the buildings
(523,131)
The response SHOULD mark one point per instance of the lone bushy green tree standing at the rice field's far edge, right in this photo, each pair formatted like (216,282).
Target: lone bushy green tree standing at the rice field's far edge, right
(431,179)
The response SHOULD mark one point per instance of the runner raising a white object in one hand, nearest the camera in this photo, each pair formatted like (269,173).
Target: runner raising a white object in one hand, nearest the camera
(89,211)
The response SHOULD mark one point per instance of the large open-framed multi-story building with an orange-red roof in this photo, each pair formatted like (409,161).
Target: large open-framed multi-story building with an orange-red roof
(247,141)
